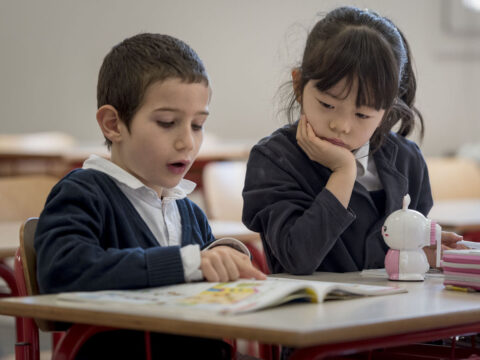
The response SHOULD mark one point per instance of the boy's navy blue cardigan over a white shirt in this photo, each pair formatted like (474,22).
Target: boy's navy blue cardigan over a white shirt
(90,237)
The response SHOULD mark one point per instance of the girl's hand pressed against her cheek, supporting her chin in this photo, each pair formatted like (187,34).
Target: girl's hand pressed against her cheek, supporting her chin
(332,156)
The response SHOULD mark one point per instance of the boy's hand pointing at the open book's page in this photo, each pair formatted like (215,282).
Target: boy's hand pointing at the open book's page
(223,263)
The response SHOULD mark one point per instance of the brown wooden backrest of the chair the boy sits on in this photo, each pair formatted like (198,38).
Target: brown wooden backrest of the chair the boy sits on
(29,264)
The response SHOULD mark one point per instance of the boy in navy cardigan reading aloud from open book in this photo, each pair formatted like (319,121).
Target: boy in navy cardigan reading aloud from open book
(126,223)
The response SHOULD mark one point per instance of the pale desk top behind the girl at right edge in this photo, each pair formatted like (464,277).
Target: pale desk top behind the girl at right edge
(460,215)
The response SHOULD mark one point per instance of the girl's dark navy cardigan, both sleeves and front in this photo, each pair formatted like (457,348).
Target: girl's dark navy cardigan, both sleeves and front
(304,228)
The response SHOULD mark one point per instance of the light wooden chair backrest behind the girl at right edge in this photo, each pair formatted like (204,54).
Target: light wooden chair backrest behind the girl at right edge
(453,177)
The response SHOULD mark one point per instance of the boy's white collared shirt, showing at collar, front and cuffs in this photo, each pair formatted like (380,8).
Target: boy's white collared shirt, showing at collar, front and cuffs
(161,215)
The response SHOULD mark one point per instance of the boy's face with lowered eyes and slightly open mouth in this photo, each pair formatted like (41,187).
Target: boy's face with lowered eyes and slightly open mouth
(165,133)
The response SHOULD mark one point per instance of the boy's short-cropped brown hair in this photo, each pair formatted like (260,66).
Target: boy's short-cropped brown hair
(139,61)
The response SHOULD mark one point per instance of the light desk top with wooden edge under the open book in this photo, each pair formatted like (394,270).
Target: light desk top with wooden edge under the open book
(426,306)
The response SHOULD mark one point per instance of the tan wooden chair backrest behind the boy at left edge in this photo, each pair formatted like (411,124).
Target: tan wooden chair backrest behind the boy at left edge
(24,196)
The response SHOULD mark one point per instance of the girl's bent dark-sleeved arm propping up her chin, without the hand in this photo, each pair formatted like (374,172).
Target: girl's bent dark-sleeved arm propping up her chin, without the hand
(284,200)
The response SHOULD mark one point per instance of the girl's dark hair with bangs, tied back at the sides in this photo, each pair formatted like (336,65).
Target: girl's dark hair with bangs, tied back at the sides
(352,43)
